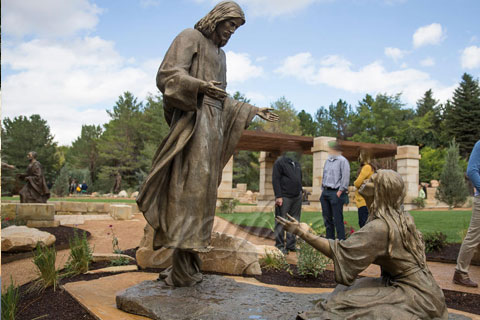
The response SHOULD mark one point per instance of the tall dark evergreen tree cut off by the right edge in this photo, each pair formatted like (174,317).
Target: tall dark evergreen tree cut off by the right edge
(464,113)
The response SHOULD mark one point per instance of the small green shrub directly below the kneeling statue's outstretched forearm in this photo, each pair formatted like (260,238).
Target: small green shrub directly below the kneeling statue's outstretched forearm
(311,262)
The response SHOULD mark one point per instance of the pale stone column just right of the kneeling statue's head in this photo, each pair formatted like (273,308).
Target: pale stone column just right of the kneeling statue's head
(408,167)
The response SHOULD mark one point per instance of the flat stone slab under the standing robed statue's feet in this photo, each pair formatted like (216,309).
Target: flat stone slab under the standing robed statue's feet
(215,297)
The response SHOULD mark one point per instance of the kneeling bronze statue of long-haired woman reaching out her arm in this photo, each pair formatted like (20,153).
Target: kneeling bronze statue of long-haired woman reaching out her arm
(406,290)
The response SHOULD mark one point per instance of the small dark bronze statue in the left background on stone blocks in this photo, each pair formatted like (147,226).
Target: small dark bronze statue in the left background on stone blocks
(36,190)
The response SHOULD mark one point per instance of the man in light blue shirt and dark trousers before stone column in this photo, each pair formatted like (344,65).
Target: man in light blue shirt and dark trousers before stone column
(336,176)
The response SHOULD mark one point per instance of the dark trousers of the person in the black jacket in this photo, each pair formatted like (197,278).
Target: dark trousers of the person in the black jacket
(292,206)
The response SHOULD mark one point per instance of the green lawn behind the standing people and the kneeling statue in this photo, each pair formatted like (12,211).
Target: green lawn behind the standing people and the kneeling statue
(450,223)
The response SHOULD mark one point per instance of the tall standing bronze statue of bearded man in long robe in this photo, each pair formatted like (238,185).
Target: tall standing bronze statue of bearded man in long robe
(178,197)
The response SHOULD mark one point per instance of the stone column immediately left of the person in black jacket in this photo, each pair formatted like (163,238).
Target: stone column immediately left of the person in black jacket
(266,196)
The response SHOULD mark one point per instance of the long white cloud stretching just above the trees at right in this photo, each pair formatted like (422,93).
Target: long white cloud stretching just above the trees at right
(372,78)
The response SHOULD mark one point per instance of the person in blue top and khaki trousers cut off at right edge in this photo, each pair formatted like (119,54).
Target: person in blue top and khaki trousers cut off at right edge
(472,239)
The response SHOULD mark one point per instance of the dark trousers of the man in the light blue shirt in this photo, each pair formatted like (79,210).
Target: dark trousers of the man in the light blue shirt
(332,212)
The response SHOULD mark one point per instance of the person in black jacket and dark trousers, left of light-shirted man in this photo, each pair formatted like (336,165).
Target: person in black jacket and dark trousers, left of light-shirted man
(287,185)
